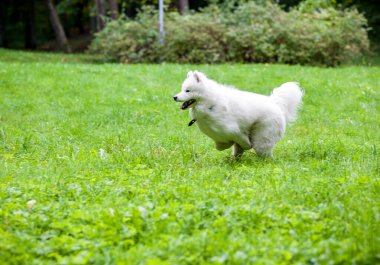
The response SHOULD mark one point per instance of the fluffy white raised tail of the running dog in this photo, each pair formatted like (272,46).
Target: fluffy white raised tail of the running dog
(288,97)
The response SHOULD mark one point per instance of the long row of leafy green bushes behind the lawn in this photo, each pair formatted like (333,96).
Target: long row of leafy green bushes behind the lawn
(251,32)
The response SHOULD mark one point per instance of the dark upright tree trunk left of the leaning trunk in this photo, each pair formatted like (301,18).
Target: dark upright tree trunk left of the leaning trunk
(28,13)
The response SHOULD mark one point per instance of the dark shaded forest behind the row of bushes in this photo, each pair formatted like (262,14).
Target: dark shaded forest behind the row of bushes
(69,25)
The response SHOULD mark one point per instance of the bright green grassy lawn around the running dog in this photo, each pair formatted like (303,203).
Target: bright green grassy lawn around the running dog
(119,178)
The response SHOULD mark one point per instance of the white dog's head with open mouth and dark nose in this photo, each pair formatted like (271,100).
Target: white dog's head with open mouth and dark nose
(191,89)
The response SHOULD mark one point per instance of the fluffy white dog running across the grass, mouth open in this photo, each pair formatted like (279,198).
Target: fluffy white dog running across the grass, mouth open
(238,118)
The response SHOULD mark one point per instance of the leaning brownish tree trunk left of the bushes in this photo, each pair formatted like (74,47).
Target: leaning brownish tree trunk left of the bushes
(57,27)
